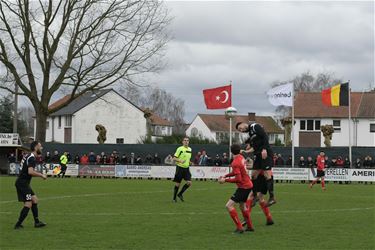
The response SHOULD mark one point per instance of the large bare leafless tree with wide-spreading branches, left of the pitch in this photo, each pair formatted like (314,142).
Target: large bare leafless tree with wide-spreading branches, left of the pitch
(77,46)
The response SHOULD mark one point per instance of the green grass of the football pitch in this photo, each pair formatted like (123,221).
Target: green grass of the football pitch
(139,214)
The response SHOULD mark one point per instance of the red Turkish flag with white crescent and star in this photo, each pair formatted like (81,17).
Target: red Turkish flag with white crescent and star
(218,98)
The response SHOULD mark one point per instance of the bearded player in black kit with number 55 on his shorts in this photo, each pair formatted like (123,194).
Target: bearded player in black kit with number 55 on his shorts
(24,191)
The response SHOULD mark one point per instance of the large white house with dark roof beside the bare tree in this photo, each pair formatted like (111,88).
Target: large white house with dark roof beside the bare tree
(75,123)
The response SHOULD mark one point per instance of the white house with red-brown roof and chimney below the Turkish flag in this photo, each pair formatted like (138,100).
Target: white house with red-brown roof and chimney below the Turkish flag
(216,127)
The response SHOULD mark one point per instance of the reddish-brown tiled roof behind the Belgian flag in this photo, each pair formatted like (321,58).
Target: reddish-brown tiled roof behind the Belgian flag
(309,104)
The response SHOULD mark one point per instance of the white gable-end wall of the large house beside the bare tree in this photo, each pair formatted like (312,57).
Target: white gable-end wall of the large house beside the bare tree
(119,117)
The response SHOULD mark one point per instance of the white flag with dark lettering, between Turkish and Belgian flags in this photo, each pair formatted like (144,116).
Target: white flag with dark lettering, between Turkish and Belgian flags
(281,95)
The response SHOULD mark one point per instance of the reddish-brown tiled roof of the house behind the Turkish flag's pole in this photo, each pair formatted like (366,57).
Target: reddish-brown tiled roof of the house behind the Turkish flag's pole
(220,123)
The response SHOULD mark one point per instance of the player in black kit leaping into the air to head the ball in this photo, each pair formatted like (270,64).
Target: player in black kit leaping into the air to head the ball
(258,144)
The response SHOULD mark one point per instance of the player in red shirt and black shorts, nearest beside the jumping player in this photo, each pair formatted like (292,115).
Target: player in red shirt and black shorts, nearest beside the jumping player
(244,186)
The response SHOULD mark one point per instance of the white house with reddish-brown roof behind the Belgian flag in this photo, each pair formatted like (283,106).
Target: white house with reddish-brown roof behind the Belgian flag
(311,114)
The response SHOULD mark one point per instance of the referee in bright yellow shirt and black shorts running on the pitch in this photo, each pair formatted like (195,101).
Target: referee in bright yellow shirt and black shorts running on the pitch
(182,158)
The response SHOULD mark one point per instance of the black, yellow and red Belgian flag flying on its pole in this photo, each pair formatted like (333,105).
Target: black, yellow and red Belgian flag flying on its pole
(337,95)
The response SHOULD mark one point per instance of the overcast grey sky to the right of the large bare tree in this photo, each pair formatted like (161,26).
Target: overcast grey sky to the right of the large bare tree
(256,43)
